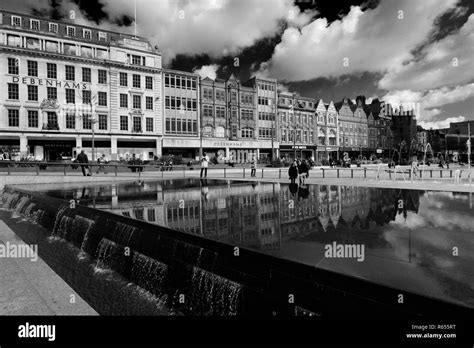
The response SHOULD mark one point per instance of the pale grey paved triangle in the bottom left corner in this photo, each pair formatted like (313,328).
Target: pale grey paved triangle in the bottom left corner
(33,288)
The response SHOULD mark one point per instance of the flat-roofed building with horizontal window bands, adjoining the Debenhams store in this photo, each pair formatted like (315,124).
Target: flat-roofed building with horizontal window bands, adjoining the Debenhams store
(181,113)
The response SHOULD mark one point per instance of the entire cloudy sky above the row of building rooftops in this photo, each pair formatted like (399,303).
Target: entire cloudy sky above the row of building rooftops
(413,52)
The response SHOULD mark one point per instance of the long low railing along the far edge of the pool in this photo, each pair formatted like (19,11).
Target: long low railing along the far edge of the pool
(245,172)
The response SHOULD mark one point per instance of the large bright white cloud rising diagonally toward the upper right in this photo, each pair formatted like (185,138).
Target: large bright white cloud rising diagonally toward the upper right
(375,40)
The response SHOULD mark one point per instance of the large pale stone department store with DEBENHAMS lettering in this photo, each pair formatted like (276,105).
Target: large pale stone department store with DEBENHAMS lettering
(63,85)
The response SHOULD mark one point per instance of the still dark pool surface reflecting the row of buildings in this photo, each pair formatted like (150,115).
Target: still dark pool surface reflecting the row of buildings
(417,241)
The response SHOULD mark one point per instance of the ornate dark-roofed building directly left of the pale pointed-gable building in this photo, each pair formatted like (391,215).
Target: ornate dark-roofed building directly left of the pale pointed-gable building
(297,126)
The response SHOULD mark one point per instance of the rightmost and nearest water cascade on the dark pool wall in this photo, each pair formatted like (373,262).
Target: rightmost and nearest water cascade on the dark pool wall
(214,295)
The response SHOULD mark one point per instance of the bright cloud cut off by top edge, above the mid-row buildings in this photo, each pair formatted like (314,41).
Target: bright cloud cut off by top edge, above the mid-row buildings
(213,27)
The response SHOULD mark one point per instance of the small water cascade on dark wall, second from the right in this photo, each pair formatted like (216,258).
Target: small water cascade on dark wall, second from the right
(149,273)
